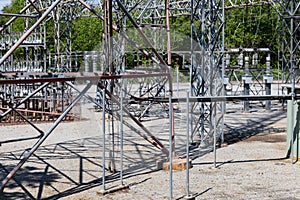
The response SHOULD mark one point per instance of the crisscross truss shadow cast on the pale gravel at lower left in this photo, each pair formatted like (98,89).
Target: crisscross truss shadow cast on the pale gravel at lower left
(66,168)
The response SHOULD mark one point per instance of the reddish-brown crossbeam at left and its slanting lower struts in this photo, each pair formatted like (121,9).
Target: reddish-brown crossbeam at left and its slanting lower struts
(78,94)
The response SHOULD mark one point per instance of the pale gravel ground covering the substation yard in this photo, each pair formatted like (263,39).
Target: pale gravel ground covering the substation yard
(251,165)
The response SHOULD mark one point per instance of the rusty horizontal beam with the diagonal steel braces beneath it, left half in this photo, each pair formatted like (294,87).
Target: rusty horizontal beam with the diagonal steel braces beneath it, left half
(148,136)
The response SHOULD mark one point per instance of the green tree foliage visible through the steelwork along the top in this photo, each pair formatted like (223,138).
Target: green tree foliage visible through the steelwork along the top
(253,26)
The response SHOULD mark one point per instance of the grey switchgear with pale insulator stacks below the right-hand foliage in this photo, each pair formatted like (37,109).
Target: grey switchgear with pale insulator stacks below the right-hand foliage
(255,80)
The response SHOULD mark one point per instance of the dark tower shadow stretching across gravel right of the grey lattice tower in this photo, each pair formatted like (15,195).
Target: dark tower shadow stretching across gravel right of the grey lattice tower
(241,126)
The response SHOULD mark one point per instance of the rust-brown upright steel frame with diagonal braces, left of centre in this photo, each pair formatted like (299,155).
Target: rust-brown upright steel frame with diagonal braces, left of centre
(111,62)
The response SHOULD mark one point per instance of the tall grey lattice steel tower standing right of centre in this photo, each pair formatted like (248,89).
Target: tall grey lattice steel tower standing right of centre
(206,77)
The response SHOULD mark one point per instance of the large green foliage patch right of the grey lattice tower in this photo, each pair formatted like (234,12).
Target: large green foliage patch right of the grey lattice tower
(251,27)
